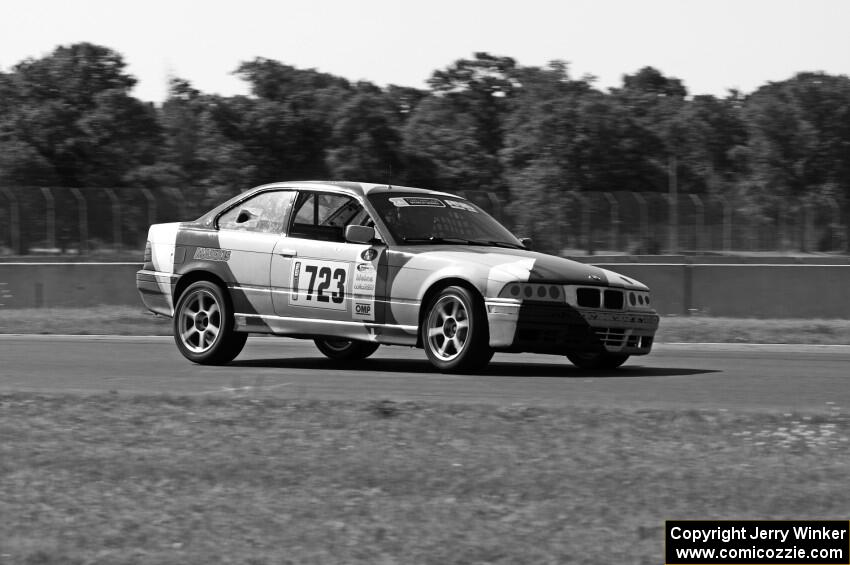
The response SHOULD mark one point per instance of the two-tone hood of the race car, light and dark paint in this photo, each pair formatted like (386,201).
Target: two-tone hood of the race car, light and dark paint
(516,265)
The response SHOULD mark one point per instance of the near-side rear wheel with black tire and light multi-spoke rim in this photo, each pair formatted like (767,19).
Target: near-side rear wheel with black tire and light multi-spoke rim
(203,325)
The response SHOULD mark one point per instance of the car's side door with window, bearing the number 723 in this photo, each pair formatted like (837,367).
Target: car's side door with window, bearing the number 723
(320,283)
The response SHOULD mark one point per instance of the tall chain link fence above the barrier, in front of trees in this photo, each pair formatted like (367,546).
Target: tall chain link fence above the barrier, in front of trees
(110,221)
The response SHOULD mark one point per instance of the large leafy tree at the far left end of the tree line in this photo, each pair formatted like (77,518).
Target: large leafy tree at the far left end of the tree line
(71,117)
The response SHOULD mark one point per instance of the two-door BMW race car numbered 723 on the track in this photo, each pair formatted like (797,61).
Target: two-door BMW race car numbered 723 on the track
(354,266)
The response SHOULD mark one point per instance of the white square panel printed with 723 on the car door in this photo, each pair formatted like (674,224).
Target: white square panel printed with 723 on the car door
(319,284)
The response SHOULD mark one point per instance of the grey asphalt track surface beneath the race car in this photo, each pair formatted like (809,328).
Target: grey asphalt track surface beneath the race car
(699,376)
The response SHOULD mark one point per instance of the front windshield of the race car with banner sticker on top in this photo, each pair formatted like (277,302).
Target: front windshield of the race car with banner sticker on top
(417,219)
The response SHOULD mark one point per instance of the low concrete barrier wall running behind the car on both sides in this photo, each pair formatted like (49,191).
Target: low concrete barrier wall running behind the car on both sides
(752,291)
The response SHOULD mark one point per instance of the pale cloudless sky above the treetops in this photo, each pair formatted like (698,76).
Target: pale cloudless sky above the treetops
(711,45)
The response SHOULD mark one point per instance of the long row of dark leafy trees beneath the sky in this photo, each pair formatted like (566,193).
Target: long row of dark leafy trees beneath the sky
(528,135)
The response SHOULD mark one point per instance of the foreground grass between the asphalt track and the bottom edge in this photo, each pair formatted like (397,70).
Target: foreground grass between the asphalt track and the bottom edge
(153,480)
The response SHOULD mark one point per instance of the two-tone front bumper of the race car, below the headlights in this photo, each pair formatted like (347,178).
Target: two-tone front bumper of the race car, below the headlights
(559,328)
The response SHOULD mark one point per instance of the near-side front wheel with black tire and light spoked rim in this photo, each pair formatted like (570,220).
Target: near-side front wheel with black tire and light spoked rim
(454,331)
